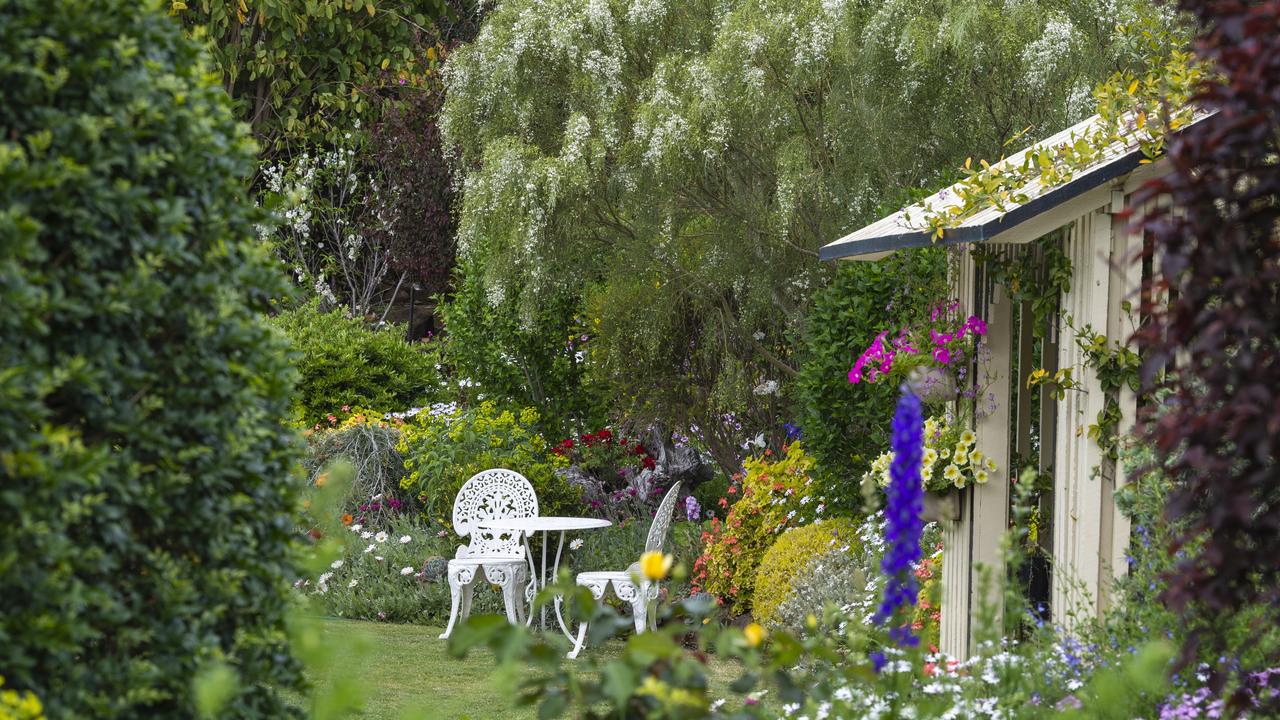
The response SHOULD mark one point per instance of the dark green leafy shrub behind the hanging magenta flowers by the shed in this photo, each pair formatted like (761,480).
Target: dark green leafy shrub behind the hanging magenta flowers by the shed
(847,426)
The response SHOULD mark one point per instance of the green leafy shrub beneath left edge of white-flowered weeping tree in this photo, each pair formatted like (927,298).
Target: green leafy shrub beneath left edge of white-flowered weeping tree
(520,356)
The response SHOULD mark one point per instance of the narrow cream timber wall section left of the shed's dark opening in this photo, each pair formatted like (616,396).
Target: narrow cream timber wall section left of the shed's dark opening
(973,543)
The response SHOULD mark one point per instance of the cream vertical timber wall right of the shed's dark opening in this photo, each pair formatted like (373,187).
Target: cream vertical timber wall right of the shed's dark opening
(1085,517)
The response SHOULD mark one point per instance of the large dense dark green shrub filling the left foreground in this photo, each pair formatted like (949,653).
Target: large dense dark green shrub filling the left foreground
(145,475)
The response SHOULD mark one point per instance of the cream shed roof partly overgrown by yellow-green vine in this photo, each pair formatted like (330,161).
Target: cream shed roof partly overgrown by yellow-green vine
(897,233)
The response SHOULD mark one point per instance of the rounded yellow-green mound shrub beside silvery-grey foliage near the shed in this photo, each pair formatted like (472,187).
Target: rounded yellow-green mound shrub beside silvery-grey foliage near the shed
(789,557)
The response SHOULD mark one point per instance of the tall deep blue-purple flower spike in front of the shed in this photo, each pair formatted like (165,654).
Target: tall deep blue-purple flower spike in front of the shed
(903,523)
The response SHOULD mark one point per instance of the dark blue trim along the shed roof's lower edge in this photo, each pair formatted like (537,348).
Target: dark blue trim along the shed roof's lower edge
(1113,170)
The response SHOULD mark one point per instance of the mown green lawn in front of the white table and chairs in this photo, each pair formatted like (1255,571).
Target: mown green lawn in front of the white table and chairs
(405,672)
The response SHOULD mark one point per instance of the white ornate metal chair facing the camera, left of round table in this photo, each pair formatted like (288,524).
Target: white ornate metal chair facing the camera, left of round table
(497,555)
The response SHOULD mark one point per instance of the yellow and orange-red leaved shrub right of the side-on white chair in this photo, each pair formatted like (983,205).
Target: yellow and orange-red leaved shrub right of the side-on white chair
(775,496)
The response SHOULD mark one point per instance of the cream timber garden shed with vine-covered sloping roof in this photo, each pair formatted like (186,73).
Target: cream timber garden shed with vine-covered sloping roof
(1048,263)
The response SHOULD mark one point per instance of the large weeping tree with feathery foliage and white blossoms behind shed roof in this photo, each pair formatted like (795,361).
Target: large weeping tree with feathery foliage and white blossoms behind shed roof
(675,166)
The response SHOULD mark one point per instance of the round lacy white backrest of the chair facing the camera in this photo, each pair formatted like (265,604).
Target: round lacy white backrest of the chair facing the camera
(493,495)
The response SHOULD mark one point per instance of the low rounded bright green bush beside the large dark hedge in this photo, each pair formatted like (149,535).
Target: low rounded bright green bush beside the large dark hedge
(346,363)
